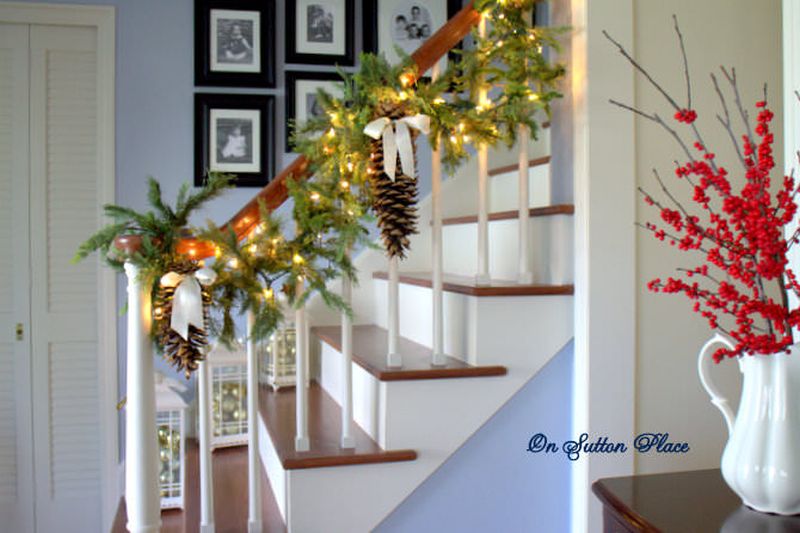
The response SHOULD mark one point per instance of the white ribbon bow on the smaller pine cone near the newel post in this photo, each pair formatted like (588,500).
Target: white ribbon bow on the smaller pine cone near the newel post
(187,301)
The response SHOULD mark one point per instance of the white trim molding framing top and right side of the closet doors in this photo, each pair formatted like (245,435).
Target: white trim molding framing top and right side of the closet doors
(103,18)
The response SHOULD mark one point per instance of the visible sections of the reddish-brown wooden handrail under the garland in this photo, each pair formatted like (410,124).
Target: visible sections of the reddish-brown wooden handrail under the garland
(275,192)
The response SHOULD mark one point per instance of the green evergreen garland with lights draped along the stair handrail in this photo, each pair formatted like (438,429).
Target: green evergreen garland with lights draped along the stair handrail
(332,210)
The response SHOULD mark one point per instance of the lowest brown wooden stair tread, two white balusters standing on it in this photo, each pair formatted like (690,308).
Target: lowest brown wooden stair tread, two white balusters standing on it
(324,431)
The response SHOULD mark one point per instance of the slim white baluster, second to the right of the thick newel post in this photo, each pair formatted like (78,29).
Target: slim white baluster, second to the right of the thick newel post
(253,464)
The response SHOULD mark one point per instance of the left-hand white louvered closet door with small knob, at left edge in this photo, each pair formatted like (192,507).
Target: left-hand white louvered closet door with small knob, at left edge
(16,445)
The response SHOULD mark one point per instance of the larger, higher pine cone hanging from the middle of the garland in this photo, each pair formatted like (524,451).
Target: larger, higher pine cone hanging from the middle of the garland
(394,202)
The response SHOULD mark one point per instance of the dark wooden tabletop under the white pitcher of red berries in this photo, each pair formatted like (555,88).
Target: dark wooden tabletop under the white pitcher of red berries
(682,502)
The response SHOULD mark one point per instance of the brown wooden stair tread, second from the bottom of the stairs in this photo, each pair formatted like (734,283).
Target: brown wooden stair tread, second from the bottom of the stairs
(369,351)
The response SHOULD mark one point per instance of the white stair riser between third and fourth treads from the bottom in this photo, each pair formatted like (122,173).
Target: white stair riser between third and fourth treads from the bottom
(550,241)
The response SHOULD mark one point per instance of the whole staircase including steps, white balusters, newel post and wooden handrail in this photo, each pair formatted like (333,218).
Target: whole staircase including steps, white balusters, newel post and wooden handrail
(357,435)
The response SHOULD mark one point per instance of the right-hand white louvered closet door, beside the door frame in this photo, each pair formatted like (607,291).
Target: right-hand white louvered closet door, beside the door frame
(64,168)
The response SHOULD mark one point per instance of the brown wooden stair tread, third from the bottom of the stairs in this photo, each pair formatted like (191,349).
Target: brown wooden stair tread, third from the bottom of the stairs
(466,285)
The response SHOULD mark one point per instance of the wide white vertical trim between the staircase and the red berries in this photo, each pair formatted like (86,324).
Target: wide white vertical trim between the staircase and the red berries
(605,246)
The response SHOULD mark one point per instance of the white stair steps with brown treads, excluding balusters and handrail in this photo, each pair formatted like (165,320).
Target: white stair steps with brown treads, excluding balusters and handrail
(410,419)
